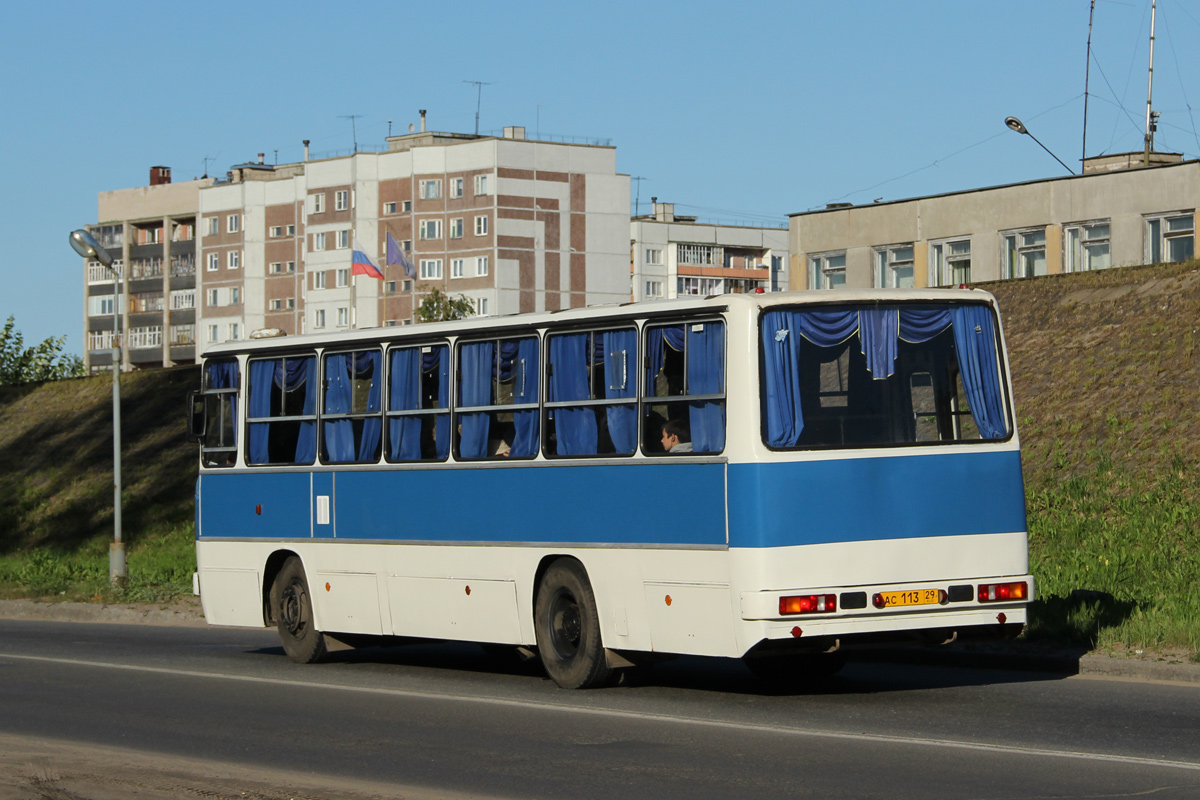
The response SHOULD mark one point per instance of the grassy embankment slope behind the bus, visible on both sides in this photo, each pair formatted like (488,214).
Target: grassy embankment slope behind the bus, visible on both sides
(1106,369)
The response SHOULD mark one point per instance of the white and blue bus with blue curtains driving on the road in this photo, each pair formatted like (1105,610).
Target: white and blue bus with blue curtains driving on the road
(777,478)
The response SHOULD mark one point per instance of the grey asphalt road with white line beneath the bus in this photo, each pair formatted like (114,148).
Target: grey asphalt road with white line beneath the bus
(435,719)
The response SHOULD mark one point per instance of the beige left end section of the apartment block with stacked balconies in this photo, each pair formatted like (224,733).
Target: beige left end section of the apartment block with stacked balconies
(151,232)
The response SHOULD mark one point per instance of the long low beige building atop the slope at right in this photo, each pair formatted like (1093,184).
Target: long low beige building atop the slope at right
(1119,213)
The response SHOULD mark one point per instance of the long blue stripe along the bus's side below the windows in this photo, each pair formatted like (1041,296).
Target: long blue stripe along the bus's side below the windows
(668,504)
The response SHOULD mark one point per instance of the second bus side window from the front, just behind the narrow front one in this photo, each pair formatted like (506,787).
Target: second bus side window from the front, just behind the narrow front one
(283,414)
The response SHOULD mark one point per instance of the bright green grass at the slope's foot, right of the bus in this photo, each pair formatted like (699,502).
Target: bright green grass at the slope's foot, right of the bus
(1117,558)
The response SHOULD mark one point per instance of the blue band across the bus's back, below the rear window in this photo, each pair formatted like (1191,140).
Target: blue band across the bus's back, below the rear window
(866,500)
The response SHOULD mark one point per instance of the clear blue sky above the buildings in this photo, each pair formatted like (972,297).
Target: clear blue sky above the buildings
(734,112)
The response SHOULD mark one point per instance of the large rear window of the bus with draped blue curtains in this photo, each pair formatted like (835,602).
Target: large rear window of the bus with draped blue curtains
(865,377)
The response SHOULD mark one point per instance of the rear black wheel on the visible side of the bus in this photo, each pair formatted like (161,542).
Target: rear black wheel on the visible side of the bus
(568,628)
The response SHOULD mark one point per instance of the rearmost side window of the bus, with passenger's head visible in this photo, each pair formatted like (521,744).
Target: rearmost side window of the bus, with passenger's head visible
(685,388)
